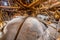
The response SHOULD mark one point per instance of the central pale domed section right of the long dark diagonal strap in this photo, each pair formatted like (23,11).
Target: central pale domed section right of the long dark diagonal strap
(32,29)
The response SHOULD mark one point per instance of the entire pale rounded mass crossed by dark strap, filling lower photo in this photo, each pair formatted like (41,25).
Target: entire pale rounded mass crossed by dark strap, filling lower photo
(32,29)
